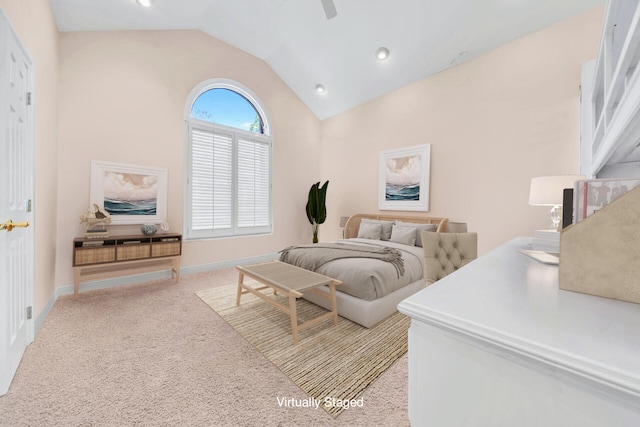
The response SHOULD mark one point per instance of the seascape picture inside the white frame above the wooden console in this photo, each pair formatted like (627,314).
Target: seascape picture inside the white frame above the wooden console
(130,194)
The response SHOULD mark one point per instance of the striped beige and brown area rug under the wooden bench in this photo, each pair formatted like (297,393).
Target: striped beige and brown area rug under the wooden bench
(332,364)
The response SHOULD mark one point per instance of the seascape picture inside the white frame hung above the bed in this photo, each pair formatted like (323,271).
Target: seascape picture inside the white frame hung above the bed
(402,178)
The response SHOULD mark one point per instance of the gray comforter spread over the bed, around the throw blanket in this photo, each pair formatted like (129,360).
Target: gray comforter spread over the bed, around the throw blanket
(369,278)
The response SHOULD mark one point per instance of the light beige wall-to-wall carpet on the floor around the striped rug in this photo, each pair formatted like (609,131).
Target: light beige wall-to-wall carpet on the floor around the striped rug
(152,354)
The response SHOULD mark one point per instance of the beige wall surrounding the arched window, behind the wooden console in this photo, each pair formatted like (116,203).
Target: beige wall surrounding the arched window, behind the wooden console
(122,99)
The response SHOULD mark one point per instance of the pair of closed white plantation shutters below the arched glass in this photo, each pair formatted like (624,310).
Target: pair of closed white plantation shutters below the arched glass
(229,184)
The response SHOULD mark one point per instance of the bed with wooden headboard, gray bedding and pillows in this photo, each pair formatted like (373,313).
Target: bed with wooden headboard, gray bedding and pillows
(371,288)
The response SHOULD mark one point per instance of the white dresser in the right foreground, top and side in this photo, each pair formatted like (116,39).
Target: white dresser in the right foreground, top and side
(498,344)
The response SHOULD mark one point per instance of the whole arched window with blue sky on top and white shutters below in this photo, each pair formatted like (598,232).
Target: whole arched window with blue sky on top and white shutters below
(228,173)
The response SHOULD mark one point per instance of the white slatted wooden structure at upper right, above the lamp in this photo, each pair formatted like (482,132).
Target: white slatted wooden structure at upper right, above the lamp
(610,111)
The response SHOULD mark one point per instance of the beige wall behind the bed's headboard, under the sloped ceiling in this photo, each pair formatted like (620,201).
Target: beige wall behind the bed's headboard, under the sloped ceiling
(493,123)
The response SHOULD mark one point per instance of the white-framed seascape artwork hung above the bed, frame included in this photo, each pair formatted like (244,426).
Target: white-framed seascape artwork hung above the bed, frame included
(404,179)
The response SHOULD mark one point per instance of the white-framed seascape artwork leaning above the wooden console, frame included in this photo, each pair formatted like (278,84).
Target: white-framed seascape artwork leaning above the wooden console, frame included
(131,194)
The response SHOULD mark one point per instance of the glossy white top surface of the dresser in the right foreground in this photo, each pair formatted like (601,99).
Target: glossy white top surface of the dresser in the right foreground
(509,300)
